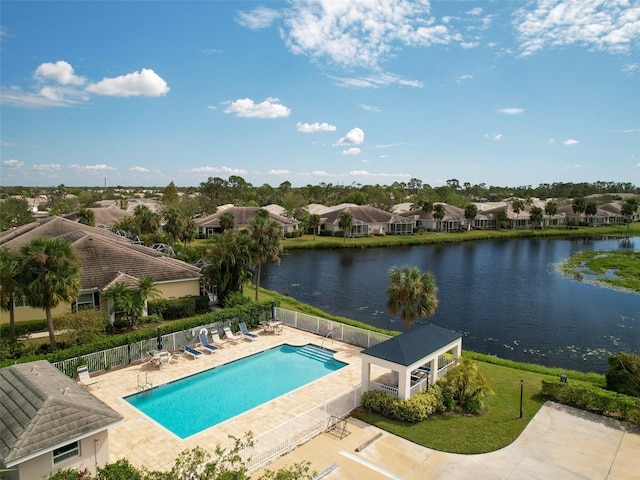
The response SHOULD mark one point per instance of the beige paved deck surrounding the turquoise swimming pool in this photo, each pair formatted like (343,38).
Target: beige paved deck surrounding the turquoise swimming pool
(146,443)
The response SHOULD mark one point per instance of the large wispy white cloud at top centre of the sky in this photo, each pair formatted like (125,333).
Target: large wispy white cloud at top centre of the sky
(361,33)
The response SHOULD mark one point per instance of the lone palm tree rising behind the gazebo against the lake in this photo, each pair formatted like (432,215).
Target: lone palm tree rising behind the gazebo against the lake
(412,293)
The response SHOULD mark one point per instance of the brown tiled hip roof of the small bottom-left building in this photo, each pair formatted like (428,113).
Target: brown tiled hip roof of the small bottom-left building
(41,409)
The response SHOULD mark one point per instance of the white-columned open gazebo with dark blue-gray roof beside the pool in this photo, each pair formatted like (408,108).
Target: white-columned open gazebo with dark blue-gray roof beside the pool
(416,358)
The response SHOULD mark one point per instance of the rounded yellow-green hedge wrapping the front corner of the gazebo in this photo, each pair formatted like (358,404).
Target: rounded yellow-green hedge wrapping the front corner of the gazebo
(415,409)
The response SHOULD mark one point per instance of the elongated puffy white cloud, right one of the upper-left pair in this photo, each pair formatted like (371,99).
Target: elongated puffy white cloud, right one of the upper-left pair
(143,83)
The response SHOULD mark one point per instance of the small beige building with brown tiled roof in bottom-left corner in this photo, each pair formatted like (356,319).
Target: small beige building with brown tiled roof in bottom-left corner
(49,423)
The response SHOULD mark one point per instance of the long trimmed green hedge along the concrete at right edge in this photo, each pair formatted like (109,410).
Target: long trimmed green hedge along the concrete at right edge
(594,399)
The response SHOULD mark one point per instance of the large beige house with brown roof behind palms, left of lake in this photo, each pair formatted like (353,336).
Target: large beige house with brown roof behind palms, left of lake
(106,259)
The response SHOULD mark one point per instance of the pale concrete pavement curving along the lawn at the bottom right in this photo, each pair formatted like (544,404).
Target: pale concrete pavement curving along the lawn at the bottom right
(560,442)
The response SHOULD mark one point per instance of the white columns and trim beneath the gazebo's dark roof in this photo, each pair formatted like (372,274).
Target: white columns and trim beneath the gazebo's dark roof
(404,372)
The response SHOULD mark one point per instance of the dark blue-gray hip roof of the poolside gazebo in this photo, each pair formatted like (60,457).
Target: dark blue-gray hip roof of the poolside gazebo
(414,345)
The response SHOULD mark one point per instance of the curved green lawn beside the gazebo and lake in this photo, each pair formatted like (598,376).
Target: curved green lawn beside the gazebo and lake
(497,427)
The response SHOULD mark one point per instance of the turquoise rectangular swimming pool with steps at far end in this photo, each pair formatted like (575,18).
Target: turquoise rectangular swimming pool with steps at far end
(195,403)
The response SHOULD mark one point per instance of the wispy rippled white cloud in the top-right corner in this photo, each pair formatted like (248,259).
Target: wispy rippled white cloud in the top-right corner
(606,25)
